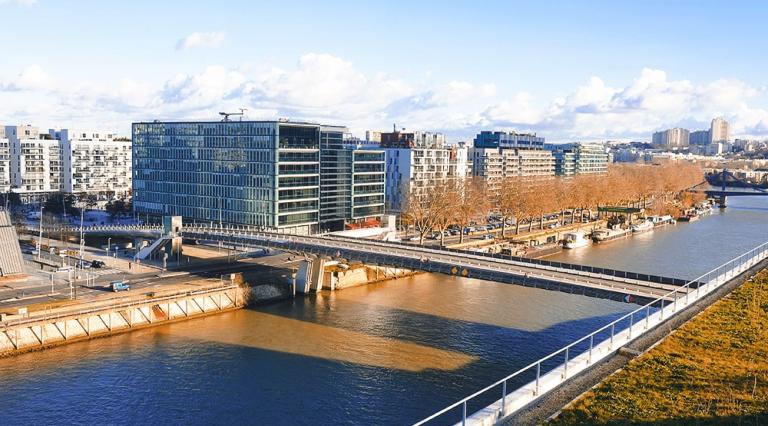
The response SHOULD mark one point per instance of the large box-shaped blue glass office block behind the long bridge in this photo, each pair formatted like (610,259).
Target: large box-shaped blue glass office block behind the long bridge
(259,173)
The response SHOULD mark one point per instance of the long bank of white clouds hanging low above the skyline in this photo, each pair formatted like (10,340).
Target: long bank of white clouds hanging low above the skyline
(330,89)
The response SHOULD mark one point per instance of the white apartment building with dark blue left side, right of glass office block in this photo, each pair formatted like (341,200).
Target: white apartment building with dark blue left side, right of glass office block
(416,170)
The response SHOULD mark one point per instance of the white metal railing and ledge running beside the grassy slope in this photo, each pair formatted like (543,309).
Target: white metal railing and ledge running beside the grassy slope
(551,371)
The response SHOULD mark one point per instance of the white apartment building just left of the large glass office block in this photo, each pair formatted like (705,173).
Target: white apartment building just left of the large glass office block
(94,162)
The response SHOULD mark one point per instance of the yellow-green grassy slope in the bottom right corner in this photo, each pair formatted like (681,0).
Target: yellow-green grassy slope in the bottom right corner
(712,370)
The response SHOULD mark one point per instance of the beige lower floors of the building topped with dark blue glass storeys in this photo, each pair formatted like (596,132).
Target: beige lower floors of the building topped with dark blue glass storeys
(496,163)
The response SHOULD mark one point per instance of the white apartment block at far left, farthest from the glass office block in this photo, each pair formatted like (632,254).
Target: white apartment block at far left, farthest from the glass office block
(35,160)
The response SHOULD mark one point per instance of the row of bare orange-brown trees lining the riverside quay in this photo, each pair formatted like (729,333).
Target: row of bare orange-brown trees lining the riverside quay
(526,199)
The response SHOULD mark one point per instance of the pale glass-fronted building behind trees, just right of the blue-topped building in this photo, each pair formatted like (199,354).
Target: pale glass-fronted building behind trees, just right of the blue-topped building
(579,158)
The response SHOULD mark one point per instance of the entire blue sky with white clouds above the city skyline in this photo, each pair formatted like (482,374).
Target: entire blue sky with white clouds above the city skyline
(568,70)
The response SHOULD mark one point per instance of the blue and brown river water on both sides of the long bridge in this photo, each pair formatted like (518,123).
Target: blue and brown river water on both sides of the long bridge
(389,353)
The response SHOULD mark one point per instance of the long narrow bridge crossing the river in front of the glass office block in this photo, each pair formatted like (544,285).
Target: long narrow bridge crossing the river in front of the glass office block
(571,278)
